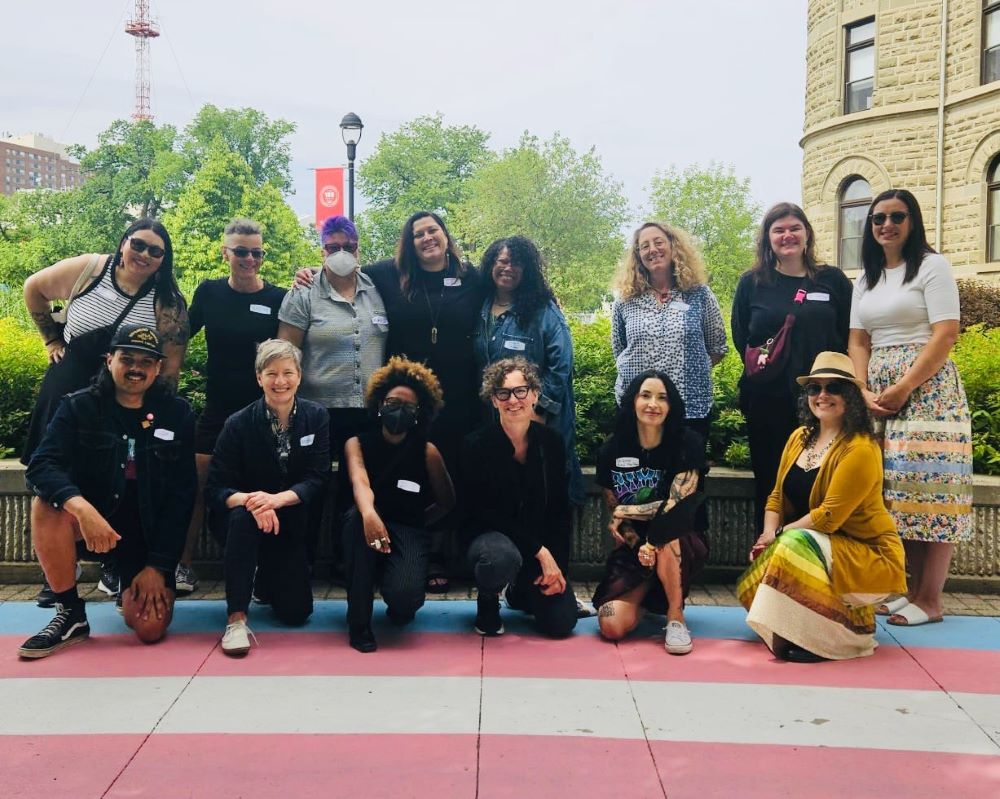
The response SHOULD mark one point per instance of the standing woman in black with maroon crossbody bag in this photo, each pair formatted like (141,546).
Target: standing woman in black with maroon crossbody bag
(785,279)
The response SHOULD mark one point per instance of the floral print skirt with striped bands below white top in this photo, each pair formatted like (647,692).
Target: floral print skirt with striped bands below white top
(927,450)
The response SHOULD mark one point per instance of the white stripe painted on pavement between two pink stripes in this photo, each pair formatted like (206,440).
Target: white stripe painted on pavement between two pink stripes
(722,713)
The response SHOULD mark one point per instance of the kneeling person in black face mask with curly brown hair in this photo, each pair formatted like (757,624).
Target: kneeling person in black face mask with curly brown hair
(400,485)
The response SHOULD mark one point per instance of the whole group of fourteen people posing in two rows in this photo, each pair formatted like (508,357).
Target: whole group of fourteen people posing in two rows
(445,394)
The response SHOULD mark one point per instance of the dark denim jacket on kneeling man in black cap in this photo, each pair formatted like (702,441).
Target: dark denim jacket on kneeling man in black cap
(83,453)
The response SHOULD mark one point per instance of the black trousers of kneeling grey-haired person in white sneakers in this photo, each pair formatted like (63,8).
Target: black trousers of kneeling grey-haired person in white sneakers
(280,561)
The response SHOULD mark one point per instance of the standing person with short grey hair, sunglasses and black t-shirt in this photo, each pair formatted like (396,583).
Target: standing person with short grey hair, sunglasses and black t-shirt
(237,312)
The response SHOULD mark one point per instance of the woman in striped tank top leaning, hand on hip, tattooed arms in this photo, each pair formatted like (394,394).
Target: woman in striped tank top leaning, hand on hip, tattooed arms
(134,285)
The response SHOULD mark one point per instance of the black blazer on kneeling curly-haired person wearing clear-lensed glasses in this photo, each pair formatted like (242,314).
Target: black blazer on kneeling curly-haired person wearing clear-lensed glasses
(533,514)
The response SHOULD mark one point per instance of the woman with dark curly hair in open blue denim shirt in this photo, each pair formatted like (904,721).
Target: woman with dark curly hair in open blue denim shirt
(520,316)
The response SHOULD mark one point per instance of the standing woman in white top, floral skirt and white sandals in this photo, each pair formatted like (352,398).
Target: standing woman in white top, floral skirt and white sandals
(904,323)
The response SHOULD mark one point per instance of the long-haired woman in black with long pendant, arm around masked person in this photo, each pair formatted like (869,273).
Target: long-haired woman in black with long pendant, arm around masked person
(432,299)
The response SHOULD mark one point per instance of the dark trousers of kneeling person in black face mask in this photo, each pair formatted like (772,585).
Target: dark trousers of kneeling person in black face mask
(404,570)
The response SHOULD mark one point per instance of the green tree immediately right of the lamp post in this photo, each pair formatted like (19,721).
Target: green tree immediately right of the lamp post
(422,166)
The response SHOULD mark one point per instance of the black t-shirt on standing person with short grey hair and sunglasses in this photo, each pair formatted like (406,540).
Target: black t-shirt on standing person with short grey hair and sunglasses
(234,325)
